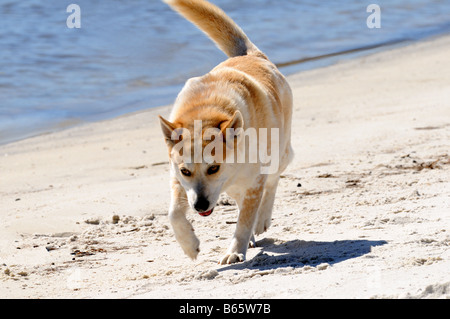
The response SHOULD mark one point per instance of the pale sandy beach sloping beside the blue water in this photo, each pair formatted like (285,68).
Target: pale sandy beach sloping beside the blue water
(363,211)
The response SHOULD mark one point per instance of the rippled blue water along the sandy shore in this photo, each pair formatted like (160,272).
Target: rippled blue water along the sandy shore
(134,55)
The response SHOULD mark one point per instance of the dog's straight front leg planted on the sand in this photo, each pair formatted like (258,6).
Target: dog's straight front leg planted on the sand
(248,210)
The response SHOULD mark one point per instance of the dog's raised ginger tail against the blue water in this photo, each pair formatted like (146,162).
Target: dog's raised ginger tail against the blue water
(227,35)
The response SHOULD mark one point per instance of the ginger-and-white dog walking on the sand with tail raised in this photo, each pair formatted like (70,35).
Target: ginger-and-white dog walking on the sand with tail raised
(245,92)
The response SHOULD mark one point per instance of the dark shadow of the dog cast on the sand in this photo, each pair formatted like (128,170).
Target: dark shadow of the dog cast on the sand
(299,253)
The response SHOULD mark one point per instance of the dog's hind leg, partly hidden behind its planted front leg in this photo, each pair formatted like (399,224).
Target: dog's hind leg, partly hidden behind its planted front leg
(264,218)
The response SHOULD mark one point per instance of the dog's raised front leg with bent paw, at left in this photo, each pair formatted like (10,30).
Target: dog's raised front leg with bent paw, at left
(184,233)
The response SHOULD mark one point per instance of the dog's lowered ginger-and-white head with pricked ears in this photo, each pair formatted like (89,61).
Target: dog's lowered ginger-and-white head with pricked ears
(199,153)
